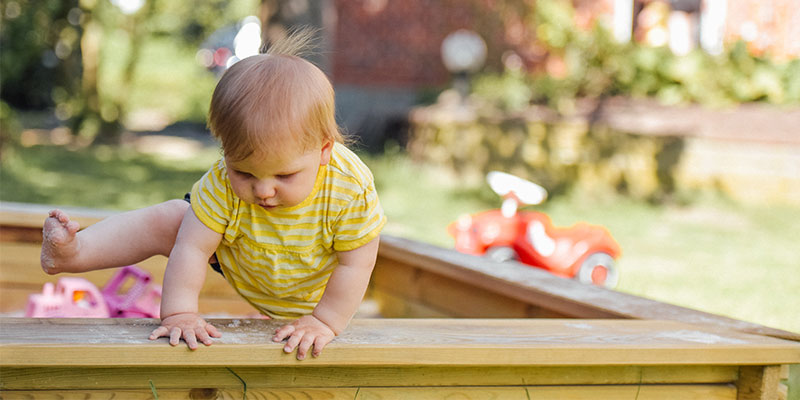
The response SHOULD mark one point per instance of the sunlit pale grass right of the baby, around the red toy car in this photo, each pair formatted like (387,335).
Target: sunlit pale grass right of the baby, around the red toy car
(712,255)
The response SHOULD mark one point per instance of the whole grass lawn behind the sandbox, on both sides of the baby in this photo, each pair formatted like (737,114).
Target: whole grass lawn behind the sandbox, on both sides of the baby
(712,255)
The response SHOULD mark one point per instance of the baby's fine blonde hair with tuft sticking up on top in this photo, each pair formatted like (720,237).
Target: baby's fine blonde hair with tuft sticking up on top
(269,102)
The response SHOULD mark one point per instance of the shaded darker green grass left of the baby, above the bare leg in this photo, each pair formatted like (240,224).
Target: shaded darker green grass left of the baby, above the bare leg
(99,177)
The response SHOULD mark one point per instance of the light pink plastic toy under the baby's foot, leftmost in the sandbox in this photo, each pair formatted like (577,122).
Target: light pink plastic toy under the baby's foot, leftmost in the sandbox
(71,297)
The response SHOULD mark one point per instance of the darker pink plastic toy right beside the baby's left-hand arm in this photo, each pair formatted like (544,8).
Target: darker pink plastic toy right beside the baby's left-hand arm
(141,300)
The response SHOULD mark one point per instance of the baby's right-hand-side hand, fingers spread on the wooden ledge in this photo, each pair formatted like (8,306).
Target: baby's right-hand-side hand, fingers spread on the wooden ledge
(302,334)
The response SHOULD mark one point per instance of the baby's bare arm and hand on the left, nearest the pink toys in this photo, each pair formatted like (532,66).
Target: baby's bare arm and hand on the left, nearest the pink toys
(183,279)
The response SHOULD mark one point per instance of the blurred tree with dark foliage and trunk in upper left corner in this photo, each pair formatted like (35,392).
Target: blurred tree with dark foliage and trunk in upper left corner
(80,57)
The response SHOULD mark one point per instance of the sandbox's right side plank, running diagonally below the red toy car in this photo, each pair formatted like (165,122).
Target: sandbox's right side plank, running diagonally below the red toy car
(539,288)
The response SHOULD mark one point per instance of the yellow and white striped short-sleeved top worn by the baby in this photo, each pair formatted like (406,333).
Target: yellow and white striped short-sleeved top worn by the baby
(280,260)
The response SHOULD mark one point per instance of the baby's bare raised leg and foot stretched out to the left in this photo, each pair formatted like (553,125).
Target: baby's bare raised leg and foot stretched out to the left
(116,241)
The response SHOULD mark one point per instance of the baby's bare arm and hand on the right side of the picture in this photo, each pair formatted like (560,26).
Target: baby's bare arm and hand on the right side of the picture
(341,299)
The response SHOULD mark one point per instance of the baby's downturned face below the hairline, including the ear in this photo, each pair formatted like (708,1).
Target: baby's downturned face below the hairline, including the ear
(282,181)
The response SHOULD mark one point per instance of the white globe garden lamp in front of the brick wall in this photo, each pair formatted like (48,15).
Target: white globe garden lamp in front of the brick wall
(463,53)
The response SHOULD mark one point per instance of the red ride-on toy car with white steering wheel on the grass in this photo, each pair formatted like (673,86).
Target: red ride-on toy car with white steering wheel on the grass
(584,252)
